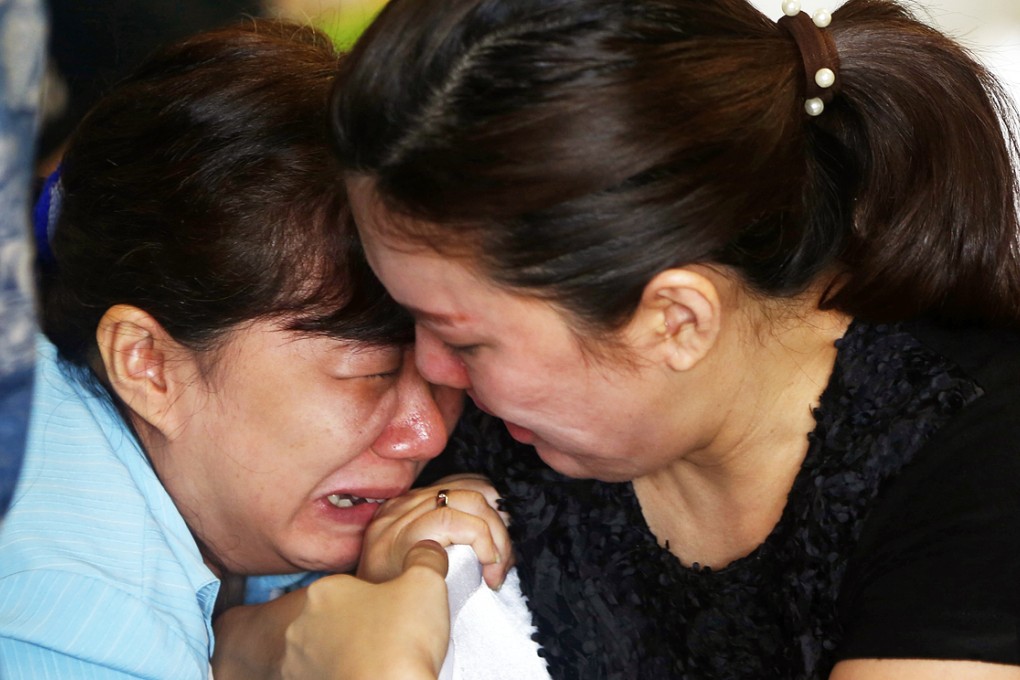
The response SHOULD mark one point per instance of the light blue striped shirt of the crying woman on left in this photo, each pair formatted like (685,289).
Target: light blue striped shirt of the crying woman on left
(99,576)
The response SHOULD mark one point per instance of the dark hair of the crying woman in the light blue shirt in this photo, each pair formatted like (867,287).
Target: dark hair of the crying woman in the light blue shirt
(202,190)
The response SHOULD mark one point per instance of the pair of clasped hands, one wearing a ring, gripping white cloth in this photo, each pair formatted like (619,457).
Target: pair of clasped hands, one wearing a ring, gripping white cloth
(393,621)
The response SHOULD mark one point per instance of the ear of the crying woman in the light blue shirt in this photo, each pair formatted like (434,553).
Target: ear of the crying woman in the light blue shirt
(137,352)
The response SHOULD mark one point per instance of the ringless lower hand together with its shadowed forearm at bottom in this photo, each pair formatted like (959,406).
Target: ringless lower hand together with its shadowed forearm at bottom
(307,634)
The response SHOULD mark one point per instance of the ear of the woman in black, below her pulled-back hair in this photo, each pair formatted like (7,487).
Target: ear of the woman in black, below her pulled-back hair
(679,319)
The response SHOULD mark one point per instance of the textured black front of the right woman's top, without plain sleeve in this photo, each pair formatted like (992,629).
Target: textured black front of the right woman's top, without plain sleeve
(610,603)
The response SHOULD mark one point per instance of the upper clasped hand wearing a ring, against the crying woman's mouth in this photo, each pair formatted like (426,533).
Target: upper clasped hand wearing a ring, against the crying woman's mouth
(470,518)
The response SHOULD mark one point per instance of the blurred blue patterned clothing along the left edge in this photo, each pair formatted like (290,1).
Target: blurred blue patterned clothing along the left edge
(23,44)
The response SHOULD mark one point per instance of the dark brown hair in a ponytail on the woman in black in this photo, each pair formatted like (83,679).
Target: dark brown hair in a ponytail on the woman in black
(580,147)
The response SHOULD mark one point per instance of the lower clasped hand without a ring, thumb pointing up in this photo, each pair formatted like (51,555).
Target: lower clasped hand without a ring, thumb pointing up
(354,631)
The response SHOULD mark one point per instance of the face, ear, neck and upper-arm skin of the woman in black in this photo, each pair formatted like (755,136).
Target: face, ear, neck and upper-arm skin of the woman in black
(728,380)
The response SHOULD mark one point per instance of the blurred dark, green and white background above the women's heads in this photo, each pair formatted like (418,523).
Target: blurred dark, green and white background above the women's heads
(94,42)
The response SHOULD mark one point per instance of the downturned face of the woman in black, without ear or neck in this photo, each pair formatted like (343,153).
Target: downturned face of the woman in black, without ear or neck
(519,359)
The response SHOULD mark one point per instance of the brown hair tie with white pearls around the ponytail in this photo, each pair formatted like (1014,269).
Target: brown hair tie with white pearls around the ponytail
(822,62)
